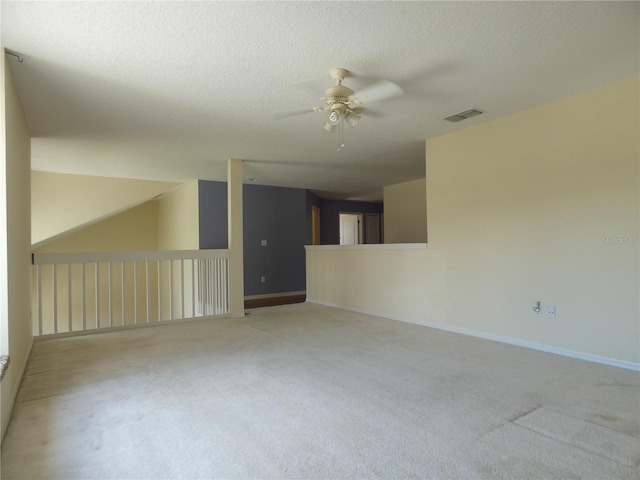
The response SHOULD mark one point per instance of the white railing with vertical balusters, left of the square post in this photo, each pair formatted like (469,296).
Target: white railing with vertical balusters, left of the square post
(80,292)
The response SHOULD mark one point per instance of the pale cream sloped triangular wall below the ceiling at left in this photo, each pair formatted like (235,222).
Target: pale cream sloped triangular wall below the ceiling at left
(63,203)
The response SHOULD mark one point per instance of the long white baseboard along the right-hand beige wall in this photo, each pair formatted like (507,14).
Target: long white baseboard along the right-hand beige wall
(489,336)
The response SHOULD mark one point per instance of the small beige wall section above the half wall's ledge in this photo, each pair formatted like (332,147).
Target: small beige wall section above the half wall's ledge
(405,212)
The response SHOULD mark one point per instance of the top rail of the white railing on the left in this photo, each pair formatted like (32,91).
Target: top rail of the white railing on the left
(104,257)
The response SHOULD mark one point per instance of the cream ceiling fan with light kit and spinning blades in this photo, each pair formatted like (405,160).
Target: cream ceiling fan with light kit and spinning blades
(342,104)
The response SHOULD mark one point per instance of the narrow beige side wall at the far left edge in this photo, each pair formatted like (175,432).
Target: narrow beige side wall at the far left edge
(15,235)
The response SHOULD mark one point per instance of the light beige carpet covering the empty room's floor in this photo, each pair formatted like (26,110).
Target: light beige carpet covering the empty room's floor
(305,391)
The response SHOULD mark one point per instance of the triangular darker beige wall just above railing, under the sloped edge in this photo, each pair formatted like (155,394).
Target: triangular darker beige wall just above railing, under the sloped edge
(133,230)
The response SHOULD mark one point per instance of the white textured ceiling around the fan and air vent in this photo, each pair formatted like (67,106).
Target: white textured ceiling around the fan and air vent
(170,90)
